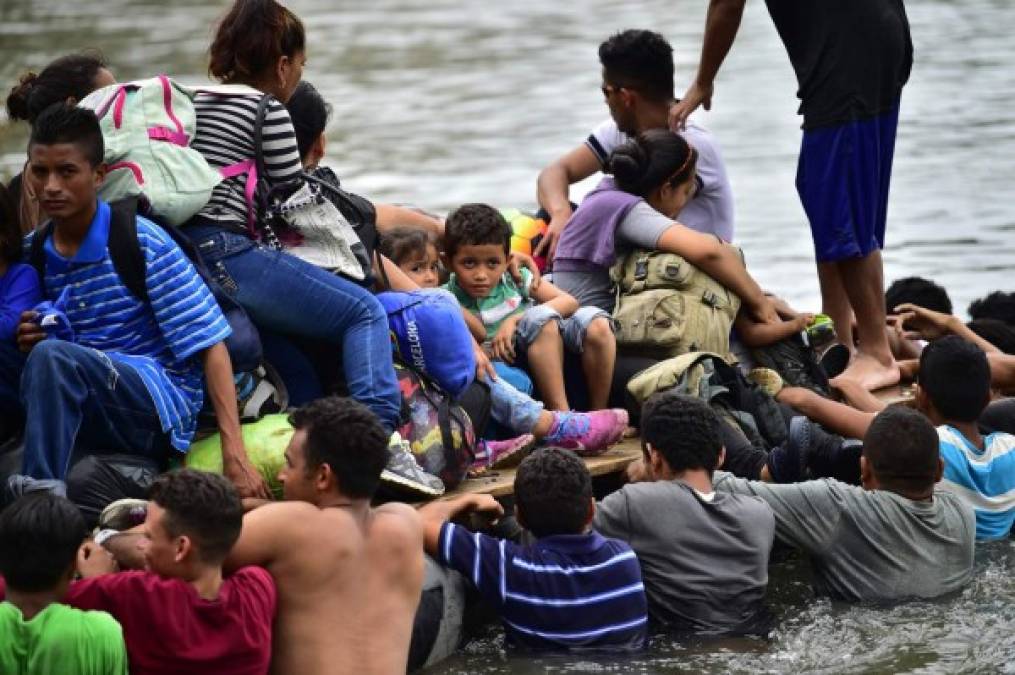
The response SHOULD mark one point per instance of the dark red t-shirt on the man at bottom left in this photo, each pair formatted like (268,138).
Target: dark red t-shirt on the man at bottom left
(170,630)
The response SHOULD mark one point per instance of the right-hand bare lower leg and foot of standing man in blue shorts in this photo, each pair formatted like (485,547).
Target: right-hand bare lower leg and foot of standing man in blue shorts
(874,366)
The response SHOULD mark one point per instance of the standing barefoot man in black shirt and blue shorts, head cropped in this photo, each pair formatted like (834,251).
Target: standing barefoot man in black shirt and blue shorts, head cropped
(852,60)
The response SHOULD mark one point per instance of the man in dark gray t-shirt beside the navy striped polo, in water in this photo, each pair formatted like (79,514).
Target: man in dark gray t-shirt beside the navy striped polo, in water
(704,555)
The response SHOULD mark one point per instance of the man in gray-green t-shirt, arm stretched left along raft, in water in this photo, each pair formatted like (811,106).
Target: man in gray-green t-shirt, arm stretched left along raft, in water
(894,538)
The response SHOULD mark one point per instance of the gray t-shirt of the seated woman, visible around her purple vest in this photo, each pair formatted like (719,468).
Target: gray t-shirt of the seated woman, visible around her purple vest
(641,229)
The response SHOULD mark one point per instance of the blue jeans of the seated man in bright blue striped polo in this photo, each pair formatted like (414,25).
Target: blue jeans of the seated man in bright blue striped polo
(79,402)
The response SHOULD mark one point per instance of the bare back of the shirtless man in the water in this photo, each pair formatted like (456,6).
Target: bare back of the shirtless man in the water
(348,590)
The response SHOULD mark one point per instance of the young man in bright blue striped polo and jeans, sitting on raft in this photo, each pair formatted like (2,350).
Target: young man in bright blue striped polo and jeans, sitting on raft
(119,374)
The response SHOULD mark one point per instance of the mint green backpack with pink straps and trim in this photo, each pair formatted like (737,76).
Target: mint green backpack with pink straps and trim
(148,127)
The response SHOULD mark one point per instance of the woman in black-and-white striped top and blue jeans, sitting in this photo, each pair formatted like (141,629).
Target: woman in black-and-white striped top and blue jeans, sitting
(262,45)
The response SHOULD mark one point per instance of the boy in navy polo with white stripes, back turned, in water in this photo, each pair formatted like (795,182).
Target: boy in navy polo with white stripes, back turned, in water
(573,589)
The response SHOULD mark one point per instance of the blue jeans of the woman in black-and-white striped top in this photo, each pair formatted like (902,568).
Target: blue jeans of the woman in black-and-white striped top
(286,295)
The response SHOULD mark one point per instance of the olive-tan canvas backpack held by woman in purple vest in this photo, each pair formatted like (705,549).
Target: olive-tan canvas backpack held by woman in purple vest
(666,307)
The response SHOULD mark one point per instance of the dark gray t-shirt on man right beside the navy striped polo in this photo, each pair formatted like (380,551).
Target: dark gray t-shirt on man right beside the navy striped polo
(705,561)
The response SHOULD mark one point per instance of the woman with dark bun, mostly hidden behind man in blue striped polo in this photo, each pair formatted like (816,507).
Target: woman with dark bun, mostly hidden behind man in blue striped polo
(69,80)
